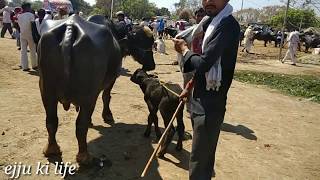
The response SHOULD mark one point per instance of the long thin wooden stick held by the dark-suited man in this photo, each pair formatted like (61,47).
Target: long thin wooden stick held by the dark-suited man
(161,139)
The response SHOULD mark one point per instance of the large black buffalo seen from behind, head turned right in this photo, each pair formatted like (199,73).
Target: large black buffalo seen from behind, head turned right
(77,60)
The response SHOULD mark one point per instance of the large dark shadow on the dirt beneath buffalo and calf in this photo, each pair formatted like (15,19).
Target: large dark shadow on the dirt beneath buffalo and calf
(128,150)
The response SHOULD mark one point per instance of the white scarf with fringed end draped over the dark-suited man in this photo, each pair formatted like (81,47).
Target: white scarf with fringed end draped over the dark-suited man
(214,76)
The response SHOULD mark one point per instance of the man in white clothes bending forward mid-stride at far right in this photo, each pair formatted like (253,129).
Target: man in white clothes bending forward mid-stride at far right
(293,41)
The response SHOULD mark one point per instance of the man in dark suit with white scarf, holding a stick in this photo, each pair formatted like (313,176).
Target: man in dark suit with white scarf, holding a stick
(214,70)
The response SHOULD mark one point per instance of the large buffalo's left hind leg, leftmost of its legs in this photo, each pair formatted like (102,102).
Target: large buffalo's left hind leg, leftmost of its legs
(50,103)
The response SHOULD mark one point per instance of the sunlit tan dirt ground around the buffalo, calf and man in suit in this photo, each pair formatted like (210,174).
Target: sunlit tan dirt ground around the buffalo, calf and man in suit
(265,135)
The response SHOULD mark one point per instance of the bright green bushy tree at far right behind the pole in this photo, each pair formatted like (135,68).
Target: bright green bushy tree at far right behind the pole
(296,17)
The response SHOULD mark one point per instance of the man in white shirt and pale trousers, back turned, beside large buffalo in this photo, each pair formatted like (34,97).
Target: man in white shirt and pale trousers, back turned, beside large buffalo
(24,20)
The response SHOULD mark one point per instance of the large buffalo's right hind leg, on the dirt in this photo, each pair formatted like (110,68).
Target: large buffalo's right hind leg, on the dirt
(82,124)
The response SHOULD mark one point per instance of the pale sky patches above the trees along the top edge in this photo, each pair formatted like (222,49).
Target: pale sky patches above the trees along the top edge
(235,3)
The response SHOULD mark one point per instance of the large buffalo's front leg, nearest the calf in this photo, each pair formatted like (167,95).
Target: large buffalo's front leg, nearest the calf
(106,97)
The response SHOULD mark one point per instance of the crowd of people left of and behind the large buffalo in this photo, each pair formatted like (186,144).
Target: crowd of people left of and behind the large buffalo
(23,24)
